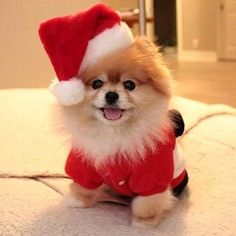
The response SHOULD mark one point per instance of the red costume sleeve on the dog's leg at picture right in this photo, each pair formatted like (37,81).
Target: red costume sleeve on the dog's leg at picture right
(155,173)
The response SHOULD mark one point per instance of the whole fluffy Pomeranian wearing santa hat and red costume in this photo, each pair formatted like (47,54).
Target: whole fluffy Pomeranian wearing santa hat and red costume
(115,92)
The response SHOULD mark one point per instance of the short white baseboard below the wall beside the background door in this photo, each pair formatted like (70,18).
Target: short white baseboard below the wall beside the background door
(191,55)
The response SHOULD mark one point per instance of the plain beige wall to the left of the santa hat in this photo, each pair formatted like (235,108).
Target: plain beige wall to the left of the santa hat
(23,62)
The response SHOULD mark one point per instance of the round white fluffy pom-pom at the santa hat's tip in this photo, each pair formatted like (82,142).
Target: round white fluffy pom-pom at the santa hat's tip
(68,93)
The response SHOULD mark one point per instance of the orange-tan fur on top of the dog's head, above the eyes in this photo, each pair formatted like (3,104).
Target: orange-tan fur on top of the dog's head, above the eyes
(141,61)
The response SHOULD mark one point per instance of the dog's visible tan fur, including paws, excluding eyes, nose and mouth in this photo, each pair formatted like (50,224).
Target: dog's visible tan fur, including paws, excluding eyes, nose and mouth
(142,121)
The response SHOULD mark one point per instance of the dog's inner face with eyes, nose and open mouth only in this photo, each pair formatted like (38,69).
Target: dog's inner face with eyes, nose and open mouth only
(112,97)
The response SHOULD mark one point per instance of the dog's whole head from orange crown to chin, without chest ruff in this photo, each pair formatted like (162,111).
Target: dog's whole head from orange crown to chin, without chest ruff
(126,86)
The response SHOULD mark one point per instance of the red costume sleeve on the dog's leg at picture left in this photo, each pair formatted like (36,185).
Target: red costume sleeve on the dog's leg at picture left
(82,171)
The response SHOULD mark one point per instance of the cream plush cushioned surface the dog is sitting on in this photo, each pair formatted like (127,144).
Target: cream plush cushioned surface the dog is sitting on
(32,179)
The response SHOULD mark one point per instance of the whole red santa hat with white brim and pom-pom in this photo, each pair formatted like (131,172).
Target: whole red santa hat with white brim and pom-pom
(77,41)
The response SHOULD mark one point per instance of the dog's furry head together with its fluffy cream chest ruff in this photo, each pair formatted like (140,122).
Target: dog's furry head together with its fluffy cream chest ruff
(125,104)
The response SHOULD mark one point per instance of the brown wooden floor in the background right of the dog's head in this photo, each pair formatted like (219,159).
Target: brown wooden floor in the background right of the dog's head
(210,82)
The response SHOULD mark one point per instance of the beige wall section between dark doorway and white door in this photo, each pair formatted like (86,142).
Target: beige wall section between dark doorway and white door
(199,21)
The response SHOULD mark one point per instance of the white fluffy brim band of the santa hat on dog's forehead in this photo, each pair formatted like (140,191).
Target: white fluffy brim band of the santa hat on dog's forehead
(110,40)
